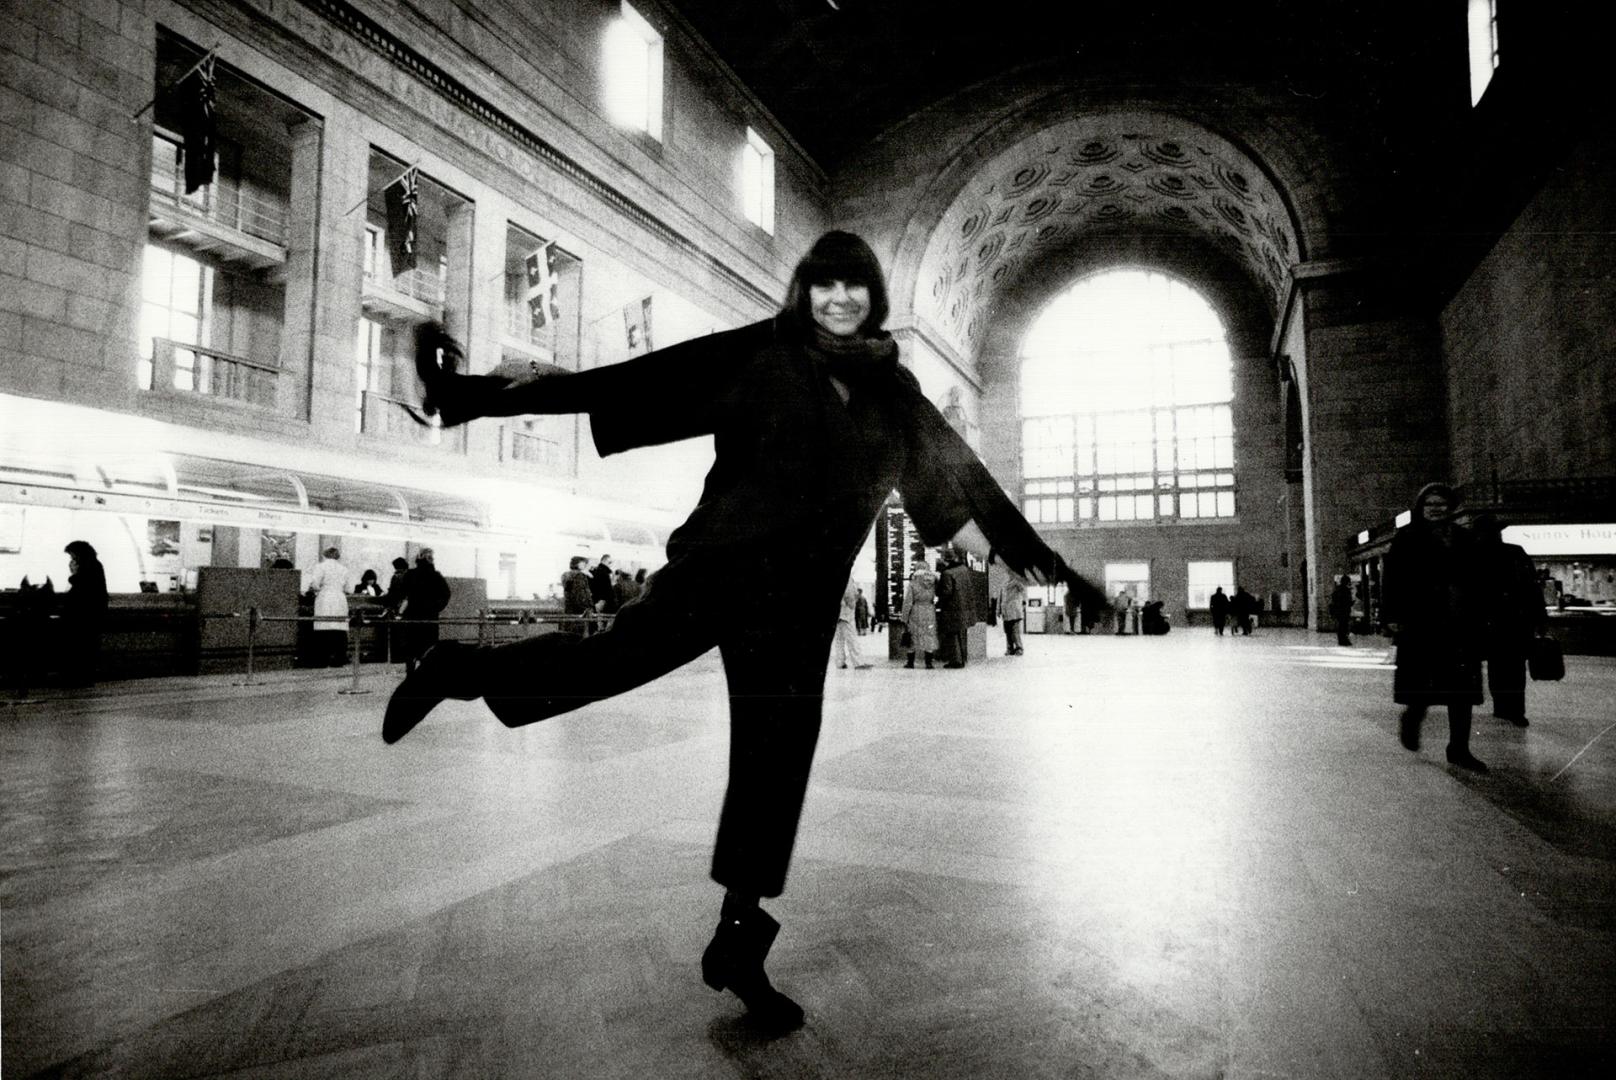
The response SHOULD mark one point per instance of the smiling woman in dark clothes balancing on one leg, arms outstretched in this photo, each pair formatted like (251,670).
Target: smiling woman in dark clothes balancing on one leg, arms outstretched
(814,424)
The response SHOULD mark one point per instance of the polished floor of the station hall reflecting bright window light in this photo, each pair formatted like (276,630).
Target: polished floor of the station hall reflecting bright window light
(1109,858)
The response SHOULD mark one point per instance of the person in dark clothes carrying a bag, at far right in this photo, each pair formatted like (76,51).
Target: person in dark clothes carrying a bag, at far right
(1513,615)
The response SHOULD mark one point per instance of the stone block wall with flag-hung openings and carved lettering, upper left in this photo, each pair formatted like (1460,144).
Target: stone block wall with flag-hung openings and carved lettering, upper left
(646,217)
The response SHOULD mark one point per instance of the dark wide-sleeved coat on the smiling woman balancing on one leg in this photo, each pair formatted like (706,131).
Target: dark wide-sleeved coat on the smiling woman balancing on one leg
(794,463)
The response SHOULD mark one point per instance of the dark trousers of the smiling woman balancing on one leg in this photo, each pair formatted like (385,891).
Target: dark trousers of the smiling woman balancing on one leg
(775,669)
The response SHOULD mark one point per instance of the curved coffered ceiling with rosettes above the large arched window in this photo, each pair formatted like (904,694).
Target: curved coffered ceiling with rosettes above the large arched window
(1114,172)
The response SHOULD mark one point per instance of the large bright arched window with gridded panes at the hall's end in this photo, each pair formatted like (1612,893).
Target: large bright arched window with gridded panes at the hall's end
(1126,403)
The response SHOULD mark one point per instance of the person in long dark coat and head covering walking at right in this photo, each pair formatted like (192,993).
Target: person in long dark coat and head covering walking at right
(1434,604)
